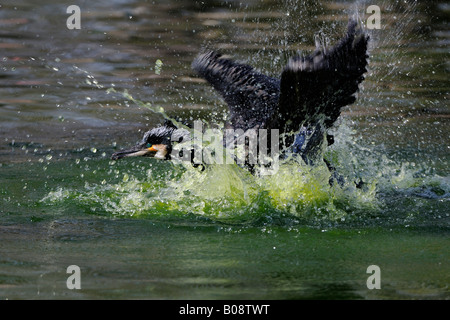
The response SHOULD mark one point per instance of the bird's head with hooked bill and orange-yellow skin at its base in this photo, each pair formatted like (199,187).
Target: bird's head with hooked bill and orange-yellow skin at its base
(156,143)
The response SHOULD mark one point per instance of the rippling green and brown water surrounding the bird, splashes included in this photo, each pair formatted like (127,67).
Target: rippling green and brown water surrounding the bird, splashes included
(141,228)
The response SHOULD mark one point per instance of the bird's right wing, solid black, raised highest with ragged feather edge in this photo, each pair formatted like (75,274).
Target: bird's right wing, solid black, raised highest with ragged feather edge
(314,88)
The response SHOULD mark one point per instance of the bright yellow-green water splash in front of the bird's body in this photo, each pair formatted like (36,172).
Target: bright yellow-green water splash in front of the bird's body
(225,192)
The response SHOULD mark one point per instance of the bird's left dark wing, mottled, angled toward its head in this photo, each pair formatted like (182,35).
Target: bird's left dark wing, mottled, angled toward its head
(251,96)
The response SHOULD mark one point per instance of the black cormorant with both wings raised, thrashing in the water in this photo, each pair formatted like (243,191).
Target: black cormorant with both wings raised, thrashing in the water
(302,105)
